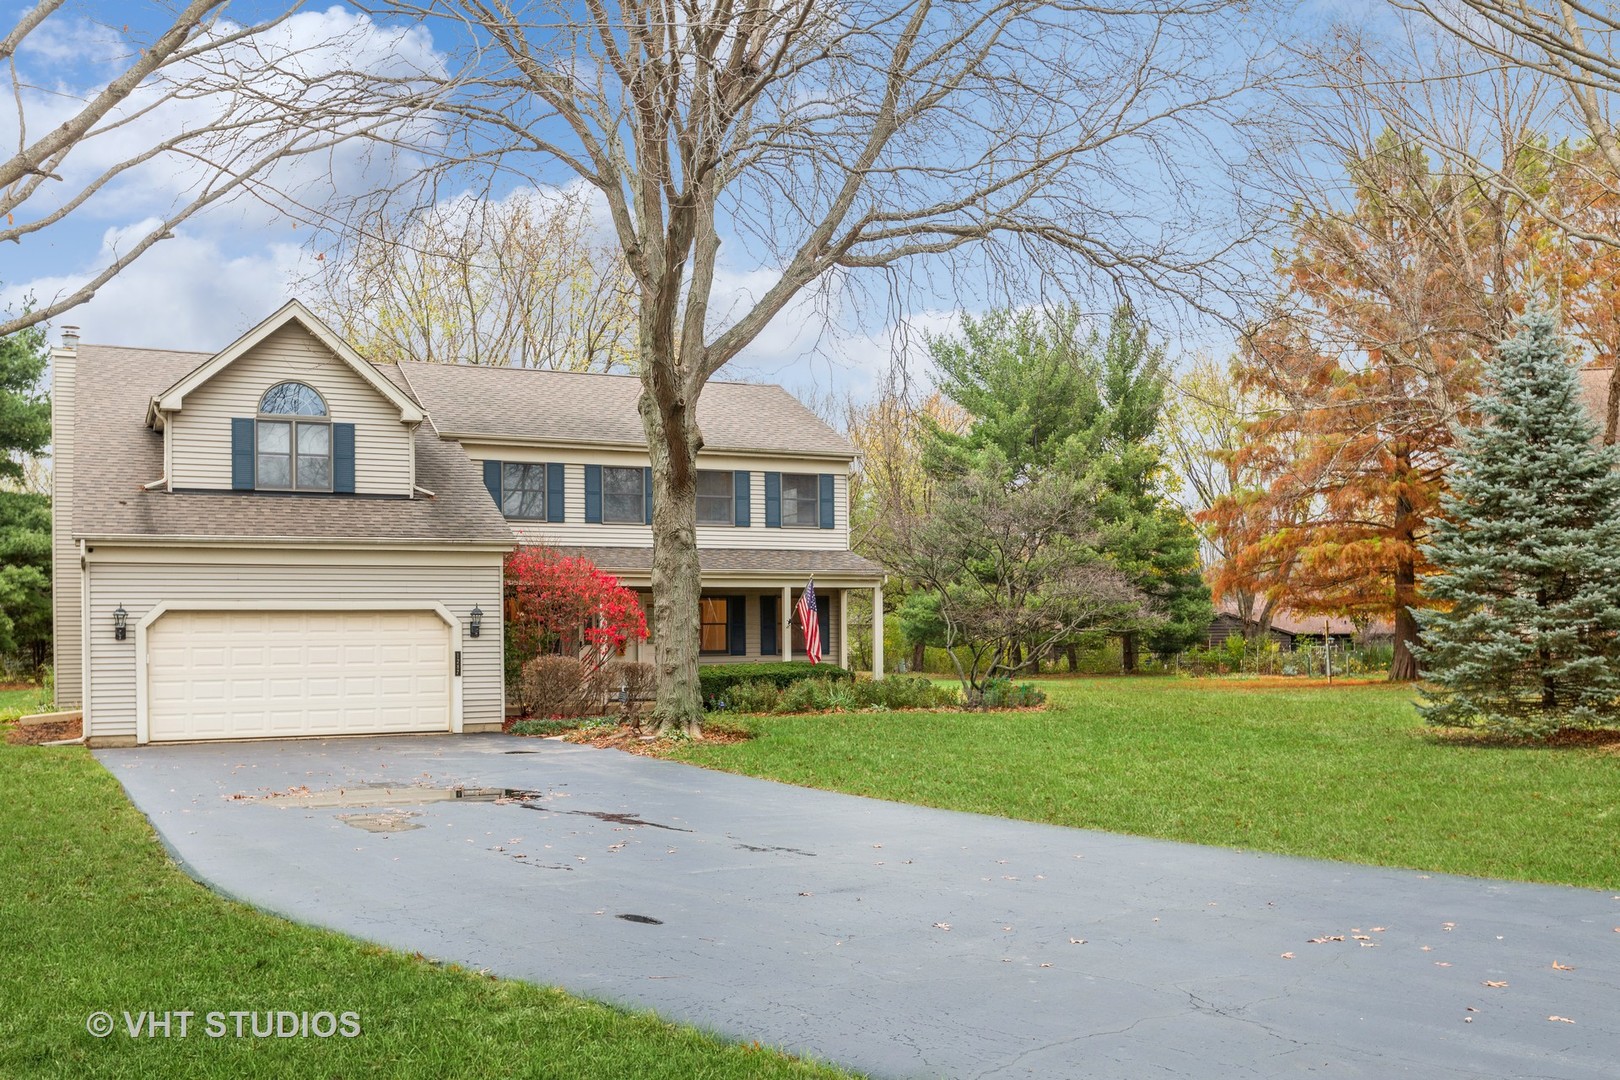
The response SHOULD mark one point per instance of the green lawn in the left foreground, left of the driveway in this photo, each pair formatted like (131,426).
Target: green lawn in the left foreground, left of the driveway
(95,917)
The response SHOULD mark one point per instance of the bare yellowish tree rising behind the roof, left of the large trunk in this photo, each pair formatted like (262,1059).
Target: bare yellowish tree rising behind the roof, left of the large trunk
(524,283)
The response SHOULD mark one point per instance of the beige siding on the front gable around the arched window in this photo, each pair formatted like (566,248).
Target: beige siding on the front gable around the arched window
(200,433)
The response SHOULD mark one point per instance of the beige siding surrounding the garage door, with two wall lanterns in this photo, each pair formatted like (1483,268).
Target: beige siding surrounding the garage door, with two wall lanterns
(140,580)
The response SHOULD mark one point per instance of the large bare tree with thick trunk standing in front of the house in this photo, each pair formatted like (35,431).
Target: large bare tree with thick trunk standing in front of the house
(833,143)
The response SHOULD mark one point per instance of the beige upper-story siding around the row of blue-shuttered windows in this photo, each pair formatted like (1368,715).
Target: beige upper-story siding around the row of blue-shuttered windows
(576,532)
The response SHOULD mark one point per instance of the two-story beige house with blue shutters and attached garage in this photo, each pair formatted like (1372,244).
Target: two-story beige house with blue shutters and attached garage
(286,540)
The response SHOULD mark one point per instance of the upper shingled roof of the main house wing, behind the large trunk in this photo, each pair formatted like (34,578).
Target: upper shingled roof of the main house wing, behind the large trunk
(595,409)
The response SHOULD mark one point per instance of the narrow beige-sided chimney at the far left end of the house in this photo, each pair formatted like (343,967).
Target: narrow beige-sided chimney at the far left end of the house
(66,597)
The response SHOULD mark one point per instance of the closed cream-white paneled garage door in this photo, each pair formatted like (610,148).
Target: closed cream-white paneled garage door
(278,674)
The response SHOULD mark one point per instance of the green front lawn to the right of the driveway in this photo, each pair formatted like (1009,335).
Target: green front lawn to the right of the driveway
(1345,773)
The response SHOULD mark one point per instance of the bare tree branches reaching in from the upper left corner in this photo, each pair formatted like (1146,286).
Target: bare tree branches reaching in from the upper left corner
(218,104)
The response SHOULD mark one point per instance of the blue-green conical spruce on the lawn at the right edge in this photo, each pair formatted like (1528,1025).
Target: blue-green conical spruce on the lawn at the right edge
(1528,636)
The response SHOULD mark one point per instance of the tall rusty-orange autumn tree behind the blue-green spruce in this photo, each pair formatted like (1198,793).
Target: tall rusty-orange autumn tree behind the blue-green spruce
(1371,355)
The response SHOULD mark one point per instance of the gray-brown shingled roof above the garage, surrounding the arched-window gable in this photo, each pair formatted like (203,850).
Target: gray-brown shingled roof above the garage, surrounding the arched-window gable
(117,453)
